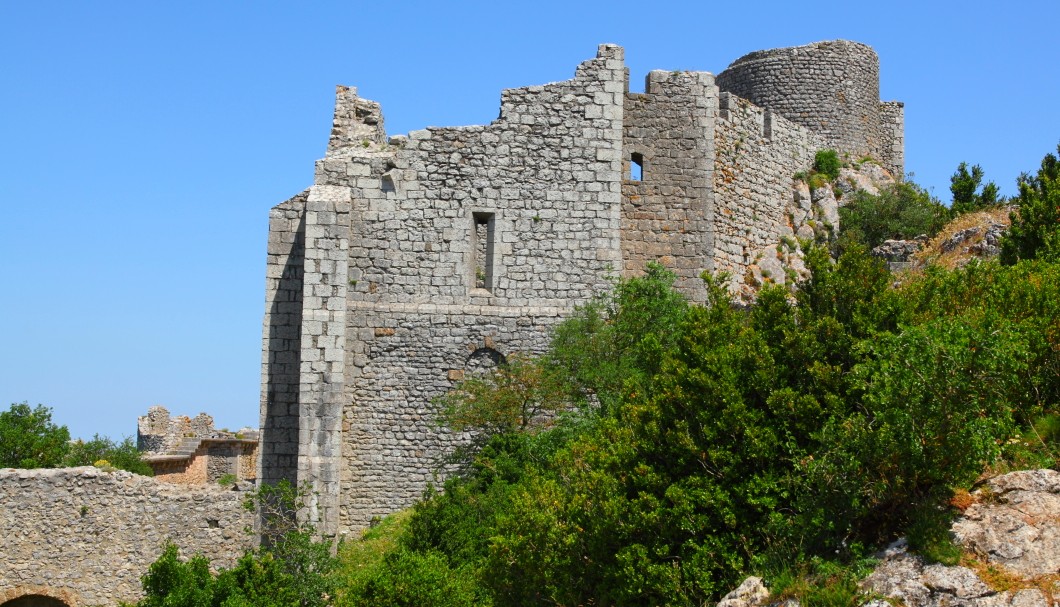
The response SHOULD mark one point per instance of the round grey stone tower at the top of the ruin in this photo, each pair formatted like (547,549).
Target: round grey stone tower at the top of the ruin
(832,88)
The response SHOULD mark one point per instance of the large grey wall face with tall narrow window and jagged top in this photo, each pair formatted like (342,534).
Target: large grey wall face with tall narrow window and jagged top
(467,245)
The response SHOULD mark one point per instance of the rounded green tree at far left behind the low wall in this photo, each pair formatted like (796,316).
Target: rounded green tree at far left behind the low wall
(30,440)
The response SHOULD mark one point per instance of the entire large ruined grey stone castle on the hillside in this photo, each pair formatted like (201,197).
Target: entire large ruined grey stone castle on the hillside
(414,260)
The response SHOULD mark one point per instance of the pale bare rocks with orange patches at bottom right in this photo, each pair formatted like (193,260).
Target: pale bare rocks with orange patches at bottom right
(1011,538)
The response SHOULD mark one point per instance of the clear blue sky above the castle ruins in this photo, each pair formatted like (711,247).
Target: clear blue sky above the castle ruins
(144,146)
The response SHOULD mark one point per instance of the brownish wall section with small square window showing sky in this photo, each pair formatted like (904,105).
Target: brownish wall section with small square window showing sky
(667,216)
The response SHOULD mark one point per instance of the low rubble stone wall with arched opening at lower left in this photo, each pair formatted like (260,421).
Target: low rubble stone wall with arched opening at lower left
(86,537)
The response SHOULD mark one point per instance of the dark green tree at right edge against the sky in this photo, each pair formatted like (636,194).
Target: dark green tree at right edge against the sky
(1035,233)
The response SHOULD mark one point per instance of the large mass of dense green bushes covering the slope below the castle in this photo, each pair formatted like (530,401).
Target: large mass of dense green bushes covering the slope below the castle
(732,440)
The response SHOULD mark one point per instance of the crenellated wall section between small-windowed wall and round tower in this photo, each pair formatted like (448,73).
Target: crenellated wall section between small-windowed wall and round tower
(758,153)
